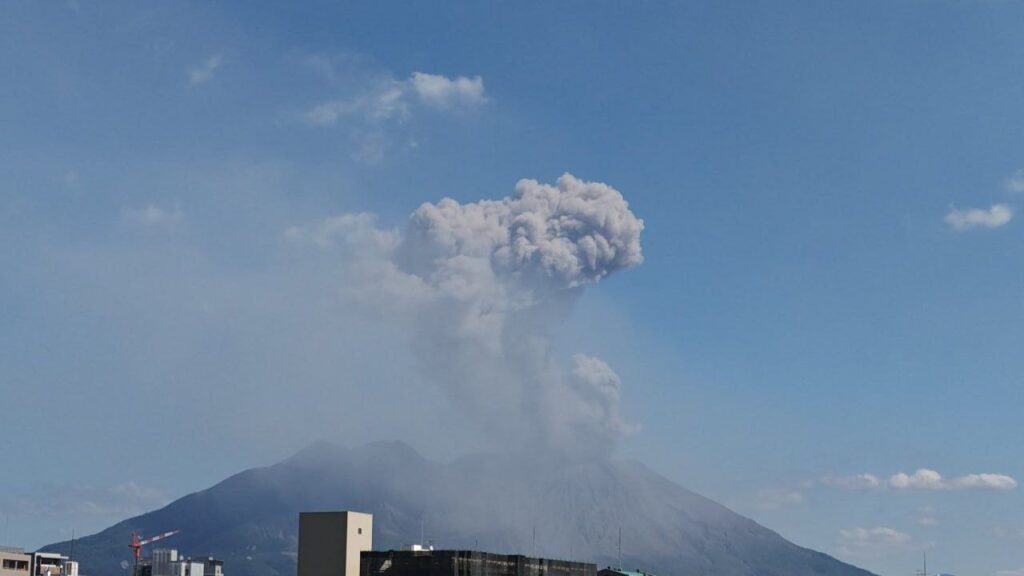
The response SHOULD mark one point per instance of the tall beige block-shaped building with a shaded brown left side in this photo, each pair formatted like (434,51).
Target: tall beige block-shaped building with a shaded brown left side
(330,544)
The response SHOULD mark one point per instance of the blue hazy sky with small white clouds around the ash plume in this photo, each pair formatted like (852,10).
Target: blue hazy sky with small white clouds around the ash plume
(830,193)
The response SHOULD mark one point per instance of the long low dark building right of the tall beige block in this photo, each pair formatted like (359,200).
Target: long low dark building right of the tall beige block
(467,563)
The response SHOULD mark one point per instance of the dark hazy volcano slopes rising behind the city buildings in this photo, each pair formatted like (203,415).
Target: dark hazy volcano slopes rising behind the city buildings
(489,502)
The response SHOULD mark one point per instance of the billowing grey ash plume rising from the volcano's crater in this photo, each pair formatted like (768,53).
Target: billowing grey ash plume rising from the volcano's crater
(478,286)
